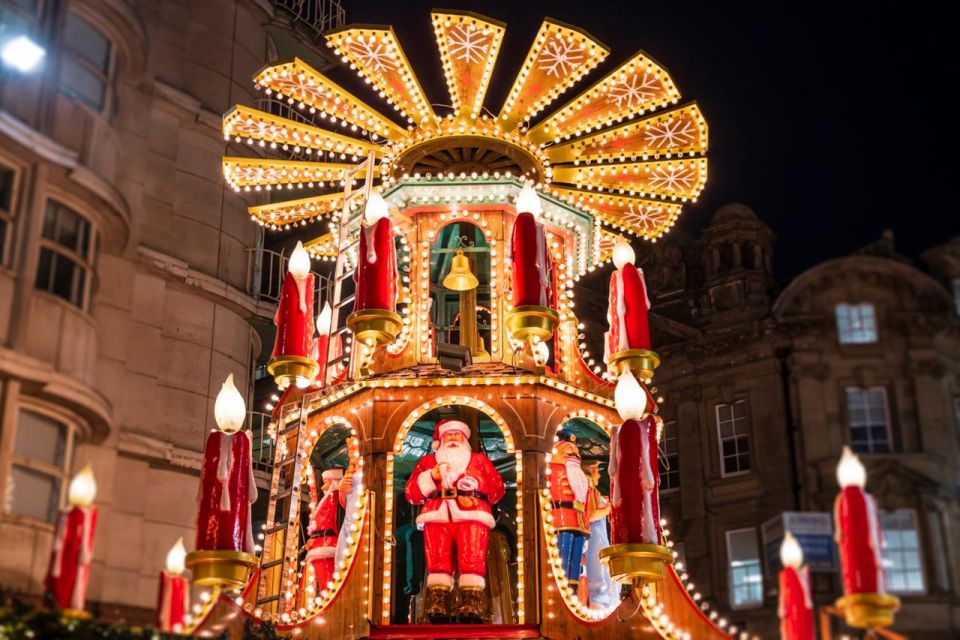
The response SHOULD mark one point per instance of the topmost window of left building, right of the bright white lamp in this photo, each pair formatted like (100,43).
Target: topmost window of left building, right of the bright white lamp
(85,66)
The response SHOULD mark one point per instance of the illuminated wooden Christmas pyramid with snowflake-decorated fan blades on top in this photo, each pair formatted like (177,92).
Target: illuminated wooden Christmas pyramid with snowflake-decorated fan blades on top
(449,461)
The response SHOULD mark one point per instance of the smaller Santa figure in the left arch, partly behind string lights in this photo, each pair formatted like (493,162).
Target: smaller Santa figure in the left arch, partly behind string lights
(326,516)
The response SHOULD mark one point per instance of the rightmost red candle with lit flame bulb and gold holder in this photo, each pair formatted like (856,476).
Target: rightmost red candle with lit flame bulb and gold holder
(858,535)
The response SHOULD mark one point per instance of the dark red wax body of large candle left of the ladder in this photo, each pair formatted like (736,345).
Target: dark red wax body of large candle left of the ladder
(227,490)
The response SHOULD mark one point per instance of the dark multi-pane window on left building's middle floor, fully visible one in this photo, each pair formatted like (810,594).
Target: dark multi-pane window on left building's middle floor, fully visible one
(65,254)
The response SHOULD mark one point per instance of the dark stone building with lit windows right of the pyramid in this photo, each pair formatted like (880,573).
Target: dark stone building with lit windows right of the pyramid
(762,387)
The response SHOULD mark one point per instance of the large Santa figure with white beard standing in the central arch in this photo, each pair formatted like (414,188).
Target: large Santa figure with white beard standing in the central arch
(457,489)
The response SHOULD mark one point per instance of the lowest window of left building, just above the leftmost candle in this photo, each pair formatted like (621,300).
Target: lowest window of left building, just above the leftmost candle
(37,466)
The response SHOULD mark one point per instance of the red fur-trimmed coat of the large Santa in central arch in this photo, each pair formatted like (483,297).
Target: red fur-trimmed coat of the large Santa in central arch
(421,489)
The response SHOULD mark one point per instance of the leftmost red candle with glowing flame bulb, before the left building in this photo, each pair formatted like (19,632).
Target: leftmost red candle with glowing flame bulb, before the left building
(69,570)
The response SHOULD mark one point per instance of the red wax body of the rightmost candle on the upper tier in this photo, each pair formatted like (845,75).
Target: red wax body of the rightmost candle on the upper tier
(628,311)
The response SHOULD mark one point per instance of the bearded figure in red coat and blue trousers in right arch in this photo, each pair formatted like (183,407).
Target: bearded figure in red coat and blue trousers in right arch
(569,490)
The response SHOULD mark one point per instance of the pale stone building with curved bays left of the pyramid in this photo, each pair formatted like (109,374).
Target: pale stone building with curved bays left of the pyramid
(124,280)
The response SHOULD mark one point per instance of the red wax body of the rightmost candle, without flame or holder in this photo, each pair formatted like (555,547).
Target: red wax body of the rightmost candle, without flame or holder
(860,541)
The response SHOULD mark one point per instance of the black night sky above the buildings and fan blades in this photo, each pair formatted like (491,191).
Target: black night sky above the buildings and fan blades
(831,121)
